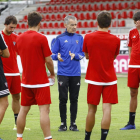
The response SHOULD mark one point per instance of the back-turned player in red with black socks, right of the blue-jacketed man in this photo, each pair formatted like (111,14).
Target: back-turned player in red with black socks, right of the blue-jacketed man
(101,48)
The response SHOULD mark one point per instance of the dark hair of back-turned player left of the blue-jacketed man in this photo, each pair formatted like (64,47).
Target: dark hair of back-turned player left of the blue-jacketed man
(34,18)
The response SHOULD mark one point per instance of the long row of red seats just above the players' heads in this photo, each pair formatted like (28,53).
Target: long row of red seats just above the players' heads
(89,7)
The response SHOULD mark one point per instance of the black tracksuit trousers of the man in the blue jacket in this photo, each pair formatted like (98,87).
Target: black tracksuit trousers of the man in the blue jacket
(71,84)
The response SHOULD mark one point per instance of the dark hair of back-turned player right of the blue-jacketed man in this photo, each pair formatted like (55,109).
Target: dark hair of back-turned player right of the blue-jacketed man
(104,19)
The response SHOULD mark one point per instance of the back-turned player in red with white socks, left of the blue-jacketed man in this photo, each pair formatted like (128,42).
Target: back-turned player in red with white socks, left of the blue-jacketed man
(34,51)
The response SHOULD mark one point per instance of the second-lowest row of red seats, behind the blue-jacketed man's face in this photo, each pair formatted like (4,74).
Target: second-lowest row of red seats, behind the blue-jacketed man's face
(85,24)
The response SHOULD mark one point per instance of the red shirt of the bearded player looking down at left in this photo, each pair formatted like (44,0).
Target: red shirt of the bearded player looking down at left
(10,64)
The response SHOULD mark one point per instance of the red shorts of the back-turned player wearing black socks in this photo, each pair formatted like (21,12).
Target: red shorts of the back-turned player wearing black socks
(109,94)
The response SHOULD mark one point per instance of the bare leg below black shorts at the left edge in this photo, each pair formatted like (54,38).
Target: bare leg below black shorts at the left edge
(3,106)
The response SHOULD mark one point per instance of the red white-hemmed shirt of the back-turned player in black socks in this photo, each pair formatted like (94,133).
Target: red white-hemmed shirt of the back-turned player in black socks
(101,47)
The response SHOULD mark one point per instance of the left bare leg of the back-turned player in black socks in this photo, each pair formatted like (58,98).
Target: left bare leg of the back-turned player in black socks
(90,120)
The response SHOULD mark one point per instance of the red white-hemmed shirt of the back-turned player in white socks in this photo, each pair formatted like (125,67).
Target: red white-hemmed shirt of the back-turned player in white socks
(33,48)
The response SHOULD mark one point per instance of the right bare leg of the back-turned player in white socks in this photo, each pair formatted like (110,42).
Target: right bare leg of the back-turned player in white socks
(44,119)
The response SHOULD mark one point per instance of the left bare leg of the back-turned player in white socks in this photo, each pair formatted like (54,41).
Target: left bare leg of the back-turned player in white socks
(21,120)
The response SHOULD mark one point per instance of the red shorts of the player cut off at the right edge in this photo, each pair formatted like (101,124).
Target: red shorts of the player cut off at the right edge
(133,77)
